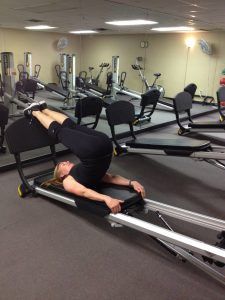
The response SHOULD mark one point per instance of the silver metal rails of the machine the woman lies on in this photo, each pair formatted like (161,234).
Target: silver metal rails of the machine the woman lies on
(181,244)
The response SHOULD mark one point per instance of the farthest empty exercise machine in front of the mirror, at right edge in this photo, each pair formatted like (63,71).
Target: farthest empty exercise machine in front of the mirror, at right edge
(183,104)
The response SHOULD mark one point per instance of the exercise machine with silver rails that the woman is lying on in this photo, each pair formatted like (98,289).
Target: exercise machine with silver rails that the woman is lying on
(177,244)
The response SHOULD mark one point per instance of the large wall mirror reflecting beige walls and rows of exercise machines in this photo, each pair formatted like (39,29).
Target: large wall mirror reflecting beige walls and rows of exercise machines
(158,60)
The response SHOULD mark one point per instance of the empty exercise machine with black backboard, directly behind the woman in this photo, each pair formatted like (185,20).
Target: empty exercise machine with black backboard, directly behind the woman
(122,112)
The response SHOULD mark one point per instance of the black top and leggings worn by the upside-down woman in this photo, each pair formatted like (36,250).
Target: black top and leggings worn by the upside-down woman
(93,148)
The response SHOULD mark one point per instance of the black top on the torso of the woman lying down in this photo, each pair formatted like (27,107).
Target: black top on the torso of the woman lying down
(89,172)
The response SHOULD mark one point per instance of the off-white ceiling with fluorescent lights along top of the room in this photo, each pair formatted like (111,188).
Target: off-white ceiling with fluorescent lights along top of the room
(70,15)
